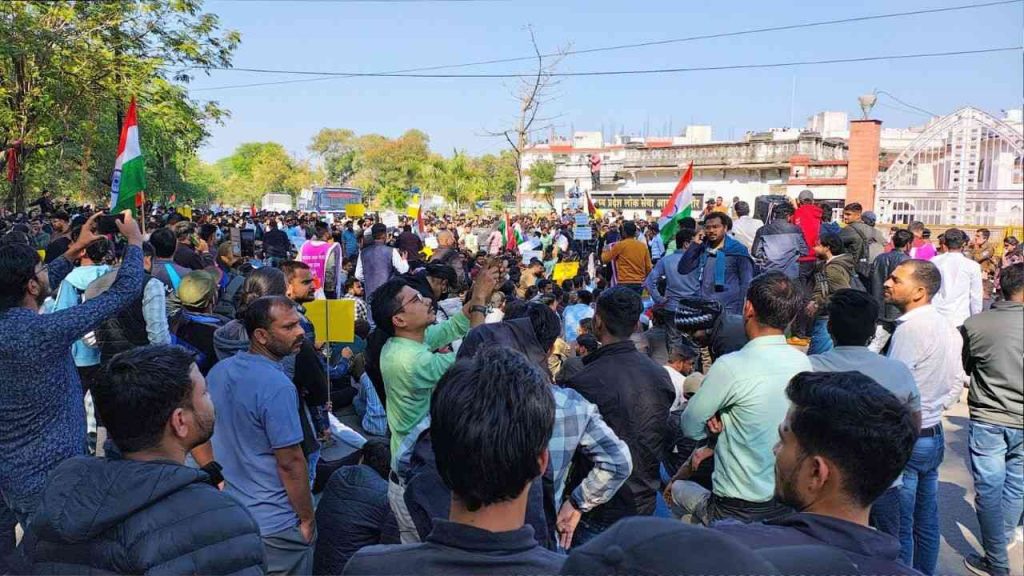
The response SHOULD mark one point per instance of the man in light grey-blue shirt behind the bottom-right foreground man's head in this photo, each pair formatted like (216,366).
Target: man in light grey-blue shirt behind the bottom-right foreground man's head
(851,323)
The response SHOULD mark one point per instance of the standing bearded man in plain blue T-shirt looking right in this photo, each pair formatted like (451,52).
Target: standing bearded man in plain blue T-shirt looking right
(259,438)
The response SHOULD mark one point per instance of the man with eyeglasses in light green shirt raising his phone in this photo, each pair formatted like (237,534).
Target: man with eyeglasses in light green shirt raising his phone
(410,364)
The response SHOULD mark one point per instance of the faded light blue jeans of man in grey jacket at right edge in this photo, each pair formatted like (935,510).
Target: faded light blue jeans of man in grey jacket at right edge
(998,467)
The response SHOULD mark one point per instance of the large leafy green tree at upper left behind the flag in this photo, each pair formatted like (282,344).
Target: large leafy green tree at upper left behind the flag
(67,72)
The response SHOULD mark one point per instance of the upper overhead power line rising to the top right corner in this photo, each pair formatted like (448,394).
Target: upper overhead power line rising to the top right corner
(327,76)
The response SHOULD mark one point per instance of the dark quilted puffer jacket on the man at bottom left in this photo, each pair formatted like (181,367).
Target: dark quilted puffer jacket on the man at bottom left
(126,517)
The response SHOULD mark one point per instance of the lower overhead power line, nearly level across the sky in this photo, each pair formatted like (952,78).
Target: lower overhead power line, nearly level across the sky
(666,70)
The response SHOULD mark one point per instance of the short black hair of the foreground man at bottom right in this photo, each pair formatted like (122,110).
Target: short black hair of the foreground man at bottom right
(855,423)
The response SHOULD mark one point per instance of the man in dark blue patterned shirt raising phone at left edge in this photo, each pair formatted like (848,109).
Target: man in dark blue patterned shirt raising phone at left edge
(42,417)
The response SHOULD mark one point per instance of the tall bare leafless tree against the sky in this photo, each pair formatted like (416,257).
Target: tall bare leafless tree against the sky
(532,93)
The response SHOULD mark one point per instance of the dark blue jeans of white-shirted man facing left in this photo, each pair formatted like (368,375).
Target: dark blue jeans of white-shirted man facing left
(919,531)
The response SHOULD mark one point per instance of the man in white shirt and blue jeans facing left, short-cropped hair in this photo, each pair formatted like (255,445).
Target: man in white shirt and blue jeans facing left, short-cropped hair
(931,348)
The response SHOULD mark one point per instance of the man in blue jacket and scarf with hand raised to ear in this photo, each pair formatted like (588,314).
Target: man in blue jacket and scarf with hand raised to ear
(724,266)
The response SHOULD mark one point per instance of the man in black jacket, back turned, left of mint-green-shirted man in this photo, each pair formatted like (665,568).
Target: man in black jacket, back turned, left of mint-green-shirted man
(634,396)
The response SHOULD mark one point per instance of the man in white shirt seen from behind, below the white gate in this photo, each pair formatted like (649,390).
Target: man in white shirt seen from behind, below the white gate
(961,295)
